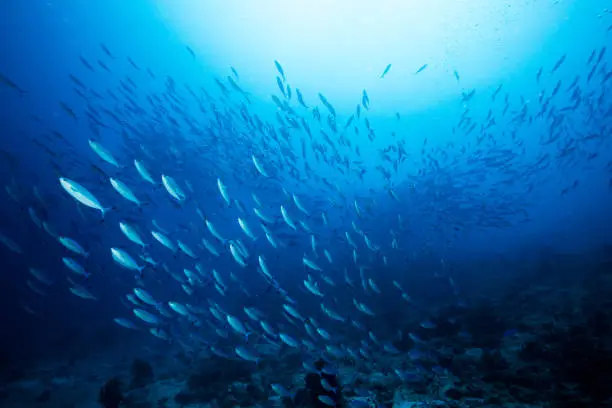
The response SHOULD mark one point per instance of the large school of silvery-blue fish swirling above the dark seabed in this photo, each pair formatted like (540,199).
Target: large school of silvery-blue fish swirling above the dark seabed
(256,205)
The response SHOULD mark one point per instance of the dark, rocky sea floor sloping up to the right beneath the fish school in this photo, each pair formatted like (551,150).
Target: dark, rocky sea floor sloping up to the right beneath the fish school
(559,354)
